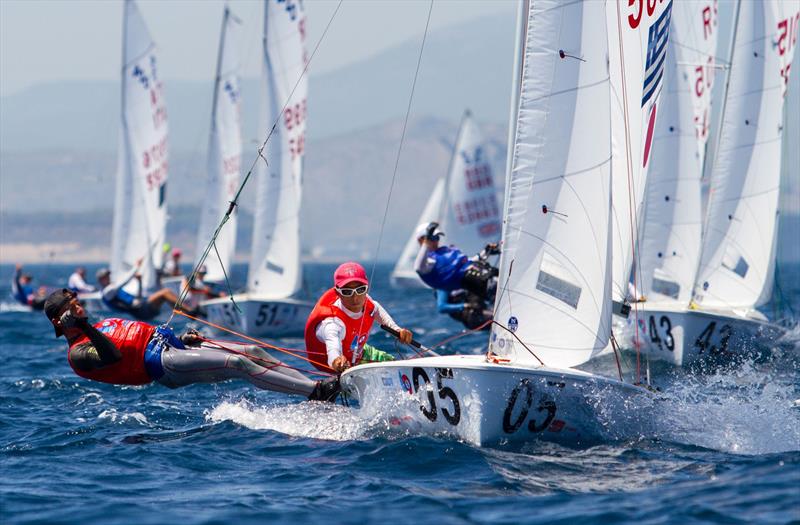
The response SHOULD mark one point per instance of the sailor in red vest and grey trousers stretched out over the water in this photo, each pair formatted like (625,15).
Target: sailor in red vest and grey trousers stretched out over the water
(124,352)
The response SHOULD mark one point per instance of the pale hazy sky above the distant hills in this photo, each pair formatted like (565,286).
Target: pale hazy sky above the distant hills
(48,40)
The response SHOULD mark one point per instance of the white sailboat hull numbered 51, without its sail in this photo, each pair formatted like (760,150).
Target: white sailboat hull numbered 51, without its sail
(260,317)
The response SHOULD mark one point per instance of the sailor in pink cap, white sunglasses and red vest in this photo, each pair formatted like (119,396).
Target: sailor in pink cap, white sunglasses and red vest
(337,330)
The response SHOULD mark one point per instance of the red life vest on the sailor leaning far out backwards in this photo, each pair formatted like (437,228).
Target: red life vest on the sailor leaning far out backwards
(131,338)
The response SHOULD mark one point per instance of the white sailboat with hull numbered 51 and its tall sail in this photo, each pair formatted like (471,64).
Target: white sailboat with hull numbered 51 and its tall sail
(268,307)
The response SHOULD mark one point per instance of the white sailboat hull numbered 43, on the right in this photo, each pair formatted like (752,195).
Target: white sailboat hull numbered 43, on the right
(682,337)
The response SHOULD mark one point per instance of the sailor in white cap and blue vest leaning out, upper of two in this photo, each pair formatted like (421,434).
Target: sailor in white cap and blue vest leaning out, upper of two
(446,268)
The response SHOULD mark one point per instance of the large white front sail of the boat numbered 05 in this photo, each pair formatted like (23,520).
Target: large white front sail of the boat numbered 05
(554,283)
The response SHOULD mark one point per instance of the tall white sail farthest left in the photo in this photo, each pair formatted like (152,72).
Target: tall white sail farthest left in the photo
(140,212)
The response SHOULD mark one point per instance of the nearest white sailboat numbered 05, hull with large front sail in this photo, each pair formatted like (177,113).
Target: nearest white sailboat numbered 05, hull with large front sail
(554,301)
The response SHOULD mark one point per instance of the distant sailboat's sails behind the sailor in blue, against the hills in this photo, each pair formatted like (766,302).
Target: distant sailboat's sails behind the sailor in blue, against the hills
(464,203)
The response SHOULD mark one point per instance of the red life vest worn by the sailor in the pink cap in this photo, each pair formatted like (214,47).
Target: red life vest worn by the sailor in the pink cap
(357,330)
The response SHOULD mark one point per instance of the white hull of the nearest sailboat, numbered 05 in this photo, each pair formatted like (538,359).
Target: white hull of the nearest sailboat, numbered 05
(489,404)
